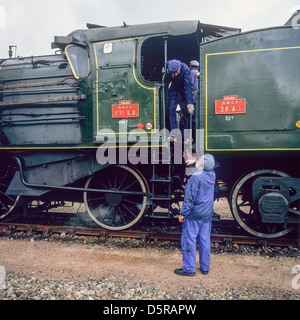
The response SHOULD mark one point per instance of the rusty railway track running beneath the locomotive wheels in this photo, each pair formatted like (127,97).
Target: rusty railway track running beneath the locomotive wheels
(145,236)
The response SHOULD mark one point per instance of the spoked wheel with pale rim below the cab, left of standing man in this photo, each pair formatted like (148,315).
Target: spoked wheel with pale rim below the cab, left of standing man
(116,211)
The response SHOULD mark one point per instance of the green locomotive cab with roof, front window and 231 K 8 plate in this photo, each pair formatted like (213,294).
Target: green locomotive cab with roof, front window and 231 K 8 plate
(125,76)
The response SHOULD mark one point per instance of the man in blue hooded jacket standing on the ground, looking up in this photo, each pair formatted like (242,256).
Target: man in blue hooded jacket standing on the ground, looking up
(196,215)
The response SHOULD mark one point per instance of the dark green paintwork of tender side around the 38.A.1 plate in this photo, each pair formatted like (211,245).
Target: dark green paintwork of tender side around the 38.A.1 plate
(263,68)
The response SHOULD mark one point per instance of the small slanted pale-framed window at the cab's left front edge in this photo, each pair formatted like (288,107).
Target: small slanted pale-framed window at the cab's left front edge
(79,61)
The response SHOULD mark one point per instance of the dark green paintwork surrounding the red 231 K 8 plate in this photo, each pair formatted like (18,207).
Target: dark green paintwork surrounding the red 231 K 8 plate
(117,81)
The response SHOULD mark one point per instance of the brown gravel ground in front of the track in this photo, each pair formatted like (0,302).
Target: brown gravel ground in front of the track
(120,269)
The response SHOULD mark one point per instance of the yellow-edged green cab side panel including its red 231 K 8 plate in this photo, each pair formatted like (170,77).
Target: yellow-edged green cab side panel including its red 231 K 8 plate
(122,101)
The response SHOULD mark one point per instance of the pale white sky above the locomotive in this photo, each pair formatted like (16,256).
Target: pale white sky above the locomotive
(32,24)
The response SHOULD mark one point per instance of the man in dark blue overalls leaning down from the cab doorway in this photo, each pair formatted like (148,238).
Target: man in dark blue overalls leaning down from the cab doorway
(180,93)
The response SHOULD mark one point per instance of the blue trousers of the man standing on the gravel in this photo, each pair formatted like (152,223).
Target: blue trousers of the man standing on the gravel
(191,232)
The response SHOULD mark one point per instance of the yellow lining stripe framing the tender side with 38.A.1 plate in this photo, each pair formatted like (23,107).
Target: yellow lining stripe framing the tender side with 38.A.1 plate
(206,98)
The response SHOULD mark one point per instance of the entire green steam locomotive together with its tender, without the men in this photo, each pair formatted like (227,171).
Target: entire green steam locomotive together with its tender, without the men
(91,121)
